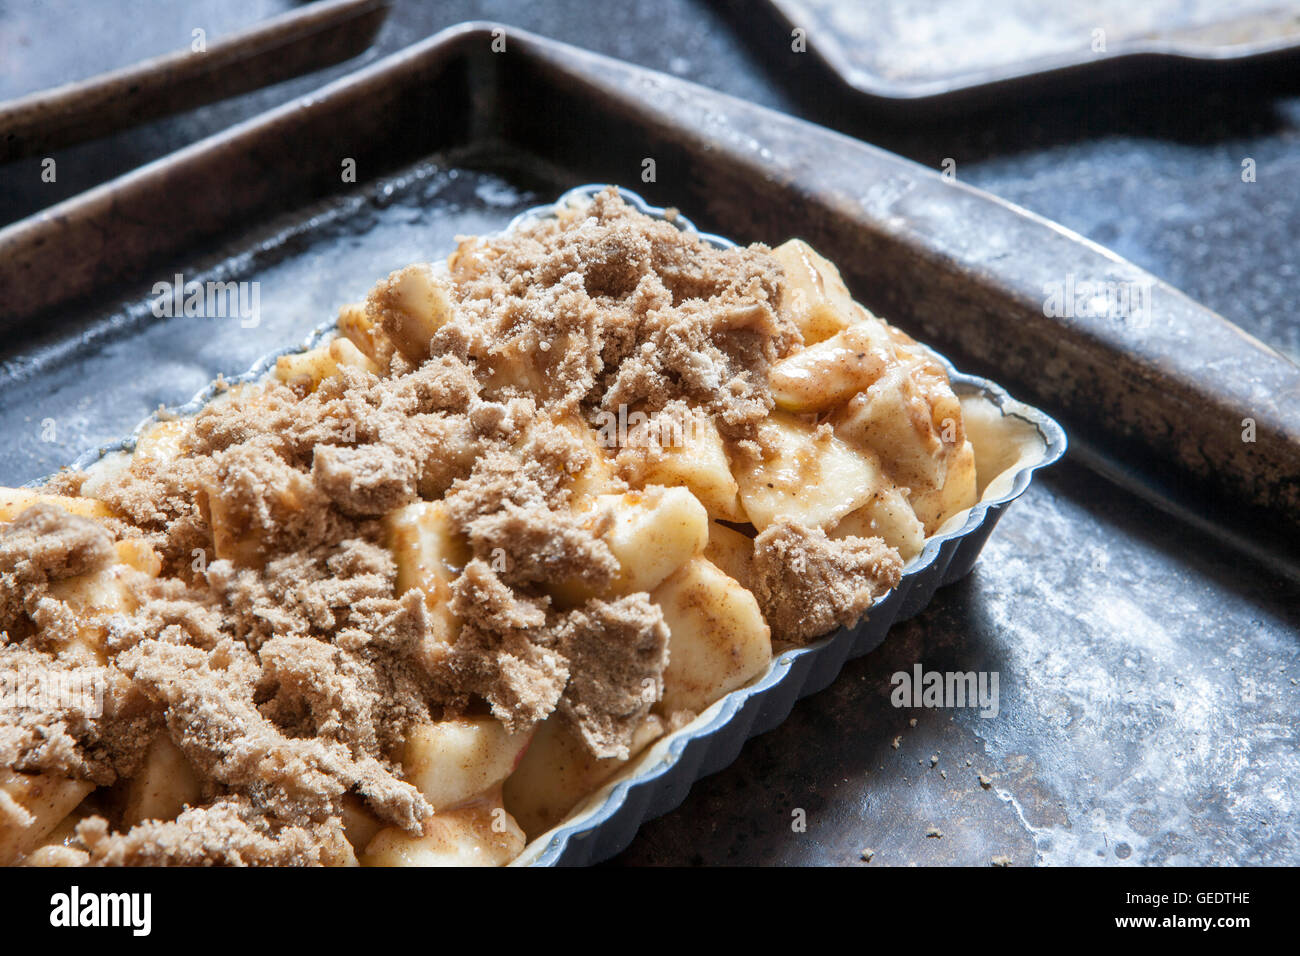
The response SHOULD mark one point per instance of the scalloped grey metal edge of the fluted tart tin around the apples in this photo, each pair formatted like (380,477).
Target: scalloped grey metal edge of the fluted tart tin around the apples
(660,780)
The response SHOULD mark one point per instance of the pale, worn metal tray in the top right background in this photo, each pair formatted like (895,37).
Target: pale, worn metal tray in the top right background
(926,53)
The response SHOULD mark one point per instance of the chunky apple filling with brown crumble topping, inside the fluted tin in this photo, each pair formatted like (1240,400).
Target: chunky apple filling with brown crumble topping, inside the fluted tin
(414,596)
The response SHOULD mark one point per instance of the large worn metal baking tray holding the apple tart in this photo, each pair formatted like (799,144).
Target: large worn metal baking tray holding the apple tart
(1149,672)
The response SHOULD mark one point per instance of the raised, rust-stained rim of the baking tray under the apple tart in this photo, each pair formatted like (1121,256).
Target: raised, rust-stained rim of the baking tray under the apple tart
(1159,404)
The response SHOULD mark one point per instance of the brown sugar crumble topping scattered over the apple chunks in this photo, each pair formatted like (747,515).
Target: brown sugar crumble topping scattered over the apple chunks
(261,628)
